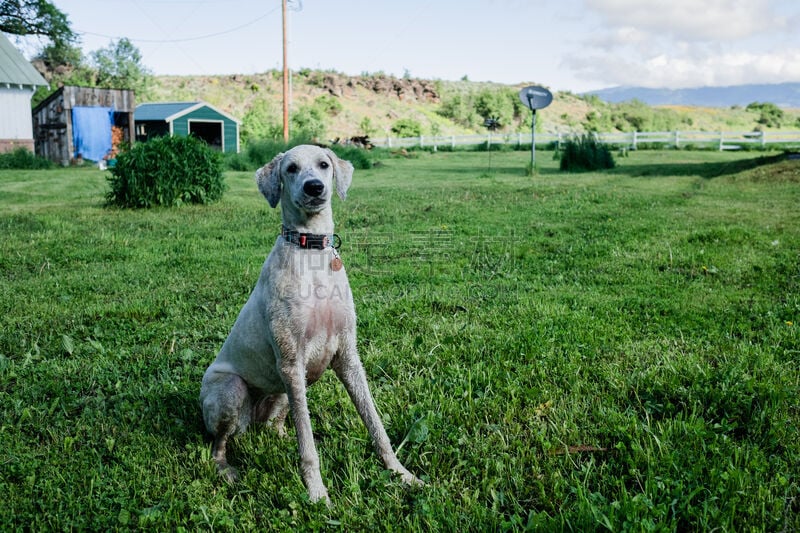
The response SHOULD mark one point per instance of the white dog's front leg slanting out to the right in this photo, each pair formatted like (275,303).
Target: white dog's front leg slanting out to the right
(351,373)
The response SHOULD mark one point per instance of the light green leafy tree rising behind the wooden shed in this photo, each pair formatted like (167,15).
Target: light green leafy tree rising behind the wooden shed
(119,66)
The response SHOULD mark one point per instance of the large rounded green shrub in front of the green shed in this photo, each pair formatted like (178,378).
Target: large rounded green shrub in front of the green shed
(167,171)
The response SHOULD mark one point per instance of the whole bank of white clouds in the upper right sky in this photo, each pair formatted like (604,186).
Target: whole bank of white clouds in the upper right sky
(688,43)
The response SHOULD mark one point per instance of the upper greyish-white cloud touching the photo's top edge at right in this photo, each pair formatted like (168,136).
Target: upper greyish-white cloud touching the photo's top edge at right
(706,20)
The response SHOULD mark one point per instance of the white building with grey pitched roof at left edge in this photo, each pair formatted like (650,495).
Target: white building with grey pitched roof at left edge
(18,82)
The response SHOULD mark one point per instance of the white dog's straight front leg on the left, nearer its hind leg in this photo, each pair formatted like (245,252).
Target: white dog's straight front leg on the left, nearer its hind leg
(295,382)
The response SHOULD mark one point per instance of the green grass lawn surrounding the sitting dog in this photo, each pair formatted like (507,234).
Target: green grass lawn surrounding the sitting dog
(578,352)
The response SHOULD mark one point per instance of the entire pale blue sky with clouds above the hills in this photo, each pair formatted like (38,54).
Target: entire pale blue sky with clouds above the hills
(575,45)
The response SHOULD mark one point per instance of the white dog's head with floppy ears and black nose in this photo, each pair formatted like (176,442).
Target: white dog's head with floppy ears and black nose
(304,176)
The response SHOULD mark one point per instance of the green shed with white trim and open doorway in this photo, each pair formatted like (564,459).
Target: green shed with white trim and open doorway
(218,129)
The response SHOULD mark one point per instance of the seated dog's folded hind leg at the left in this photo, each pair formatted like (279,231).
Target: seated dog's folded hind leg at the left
(226,412)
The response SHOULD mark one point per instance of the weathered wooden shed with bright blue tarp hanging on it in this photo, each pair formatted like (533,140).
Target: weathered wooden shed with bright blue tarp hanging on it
(86,123)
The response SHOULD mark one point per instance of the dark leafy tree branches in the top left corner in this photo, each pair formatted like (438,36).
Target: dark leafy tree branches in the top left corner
(36,17)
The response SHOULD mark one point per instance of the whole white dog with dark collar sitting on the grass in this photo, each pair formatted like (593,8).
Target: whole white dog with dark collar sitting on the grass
(299,319)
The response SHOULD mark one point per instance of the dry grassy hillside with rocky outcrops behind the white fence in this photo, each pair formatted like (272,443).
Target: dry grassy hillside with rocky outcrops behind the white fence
(372,104)
